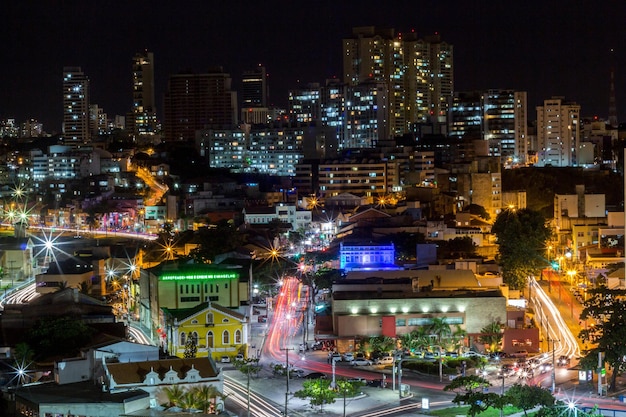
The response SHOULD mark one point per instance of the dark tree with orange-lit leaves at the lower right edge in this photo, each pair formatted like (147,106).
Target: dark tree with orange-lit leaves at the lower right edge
(607,308)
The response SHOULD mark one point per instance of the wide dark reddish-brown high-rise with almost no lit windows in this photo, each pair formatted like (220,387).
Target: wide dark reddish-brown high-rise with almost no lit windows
(198,101)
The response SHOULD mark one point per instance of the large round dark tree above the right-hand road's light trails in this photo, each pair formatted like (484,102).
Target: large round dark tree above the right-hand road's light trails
(522,236)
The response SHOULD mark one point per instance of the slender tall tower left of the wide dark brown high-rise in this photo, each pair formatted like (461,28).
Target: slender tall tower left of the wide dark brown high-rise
(142,119)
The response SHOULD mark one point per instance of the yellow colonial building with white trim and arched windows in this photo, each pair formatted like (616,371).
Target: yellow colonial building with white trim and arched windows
(217,331)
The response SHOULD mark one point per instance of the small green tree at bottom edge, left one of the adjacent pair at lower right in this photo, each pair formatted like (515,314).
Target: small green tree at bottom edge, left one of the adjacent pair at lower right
(470,390)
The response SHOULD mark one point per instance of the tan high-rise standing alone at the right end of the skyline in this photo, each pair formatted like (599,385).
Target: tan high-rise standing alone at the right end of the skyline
(558,133)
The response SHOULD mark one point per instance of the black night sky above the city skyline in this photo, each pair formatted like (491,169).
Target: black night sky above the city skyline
(544,47)
